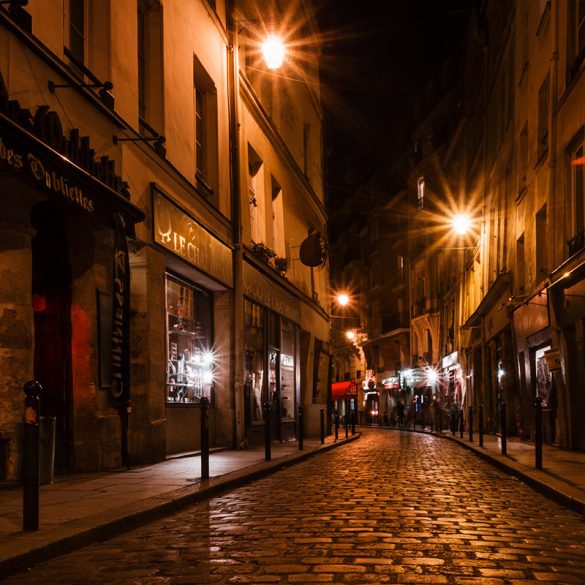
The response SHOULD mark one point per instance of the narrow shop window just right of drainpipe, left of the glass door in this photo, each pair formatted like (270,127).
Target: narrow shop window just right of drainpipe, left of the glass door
(254,351)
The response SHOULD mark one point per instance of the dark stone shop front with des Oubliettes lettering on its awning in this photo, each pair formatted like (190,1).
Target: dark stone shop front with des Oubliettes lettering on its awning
(65,220)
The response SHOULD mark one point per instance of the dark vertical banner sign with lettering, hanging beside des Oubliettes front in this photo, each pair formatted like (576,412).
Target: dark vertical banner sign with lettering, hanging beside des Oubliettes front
(121,317)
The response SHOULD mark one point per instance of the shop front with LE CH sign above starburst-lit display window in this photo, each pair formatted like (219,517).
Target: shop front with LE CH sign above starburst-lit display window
(197,279)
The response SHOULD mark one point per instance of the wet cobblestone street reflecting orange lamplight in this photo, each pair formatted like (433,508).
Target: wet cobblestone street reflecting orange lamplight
(392,507)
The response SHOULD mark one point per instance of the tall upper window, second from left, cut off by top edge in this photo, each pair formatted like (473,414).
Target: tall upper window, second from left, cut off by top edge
(150,78)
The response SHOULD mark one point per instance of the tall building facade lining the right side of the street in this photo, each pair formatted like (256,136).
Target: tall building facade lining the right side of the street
(509,314)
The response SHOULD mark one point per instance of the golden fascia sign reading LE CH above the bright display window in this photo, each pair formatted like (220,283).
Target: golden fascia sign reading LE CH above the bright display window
(181,234)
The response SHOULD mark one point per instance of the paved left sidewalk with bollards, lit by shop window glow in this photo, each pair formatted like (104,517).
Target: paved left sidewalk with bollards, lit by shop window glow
(80,509)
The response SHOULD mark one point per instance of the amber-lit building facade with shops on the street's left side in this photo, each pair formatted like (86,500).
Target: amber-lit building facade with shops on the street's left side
(135,284)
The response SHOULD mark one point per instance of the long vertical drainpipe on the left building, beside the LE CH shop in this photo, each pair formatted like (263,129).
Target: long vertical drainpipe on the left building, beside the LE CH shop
(237,374)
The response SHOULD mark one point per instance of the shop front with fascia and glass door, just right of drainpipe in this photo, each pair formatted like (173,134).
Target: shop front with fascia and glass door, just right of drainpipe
(271,349)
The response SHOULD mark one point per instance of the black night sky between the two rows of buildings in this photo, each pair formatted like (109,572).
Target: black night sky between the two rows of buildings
(376,63)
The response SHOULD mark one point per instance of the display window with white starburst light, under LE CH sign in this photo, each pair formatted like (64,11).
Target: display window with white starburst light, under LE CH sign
(190,359)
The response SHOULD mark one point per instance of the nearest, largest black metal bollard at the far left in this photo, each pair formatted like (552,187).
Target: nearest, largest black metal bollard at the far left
(30,456)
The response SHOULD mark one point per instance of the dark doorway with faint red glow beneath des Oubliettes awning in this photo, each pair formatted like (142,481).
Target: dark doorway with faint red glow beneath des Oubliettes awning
(51,297)
